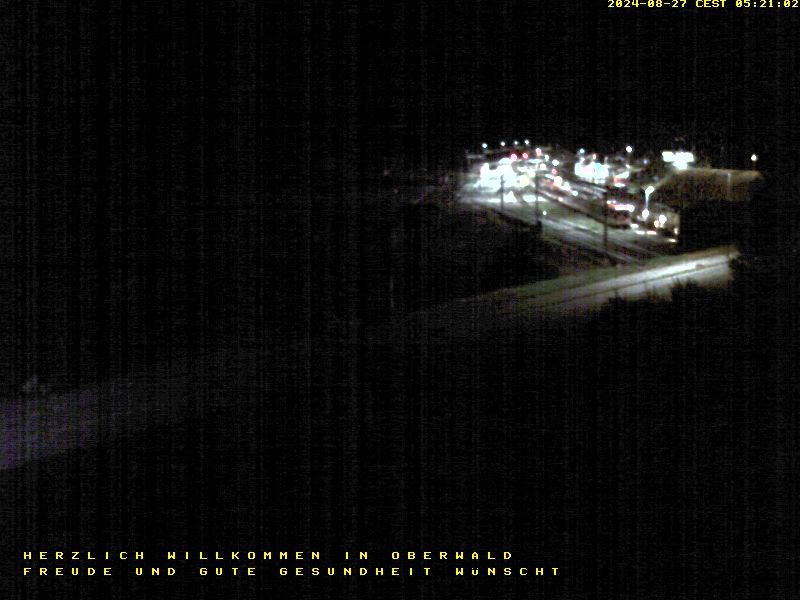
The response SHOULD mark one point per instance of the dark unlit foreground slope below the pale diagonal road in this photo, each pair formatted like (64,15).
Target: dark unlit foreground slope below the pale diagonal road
(648,453)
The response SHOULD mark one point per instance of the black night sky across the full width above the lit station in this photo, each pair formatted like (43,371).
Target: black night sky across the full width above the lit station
(422,80)
